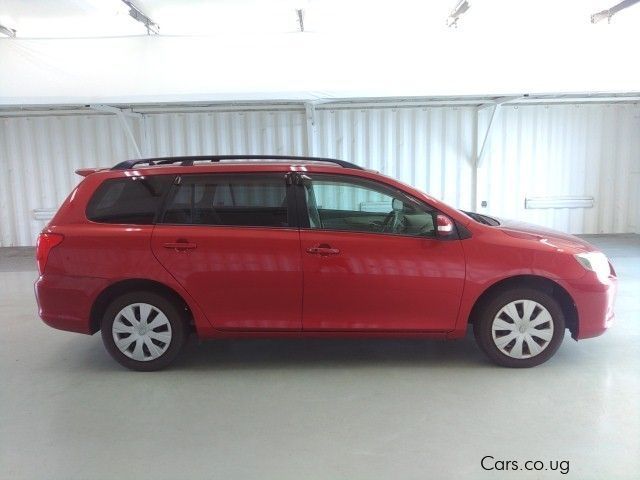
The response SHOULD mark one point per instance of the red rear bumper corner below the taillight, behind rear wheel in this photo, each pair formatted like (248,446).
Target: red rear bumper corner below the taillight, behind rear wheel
(65,302)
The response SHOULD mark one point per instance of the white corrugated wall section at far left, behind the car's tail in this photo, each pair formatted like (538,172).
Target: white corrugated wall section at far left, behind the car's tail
(38,158)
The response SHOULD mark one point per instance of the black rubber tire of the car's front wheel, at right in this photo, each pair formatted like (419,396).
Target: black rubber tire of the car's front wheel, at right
(483,327)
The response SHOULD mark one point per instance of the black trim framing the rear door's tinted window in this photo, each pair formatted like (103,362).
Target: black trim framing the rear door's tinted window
(292,218)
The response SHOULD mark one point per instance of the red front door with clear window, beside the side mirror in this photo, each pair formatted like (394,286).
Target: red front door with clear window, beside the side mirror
(372,261)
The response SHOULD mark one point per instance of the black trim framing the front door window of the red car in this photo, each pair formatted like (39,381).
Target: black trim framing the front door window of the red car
(304,216)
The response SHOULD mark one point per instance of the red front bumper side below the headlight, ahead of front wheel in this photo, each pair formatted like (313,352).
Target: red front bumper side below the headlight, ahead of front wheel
(594,301)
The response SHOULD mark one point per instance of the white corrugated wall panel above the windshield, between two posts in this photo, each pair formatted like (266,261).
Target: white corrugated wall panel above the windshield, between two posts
(430,148)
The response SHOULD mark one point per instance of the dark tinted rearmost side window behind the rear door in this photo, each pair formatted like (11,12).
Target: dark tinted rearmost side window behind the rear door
(133,200)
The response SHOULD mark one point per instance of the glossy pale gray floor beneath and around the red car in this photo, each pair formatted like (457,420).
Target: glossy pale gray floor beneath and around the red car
(314,409)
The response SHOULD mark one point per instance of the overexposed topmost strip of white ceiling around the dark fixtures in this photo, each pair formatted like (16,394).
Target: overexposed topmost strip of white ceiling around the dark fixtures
(100,18)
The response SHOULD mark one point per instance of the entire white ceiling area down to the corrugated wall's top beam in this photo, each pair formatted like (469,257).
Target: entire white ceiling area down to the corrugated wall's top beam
(92,51)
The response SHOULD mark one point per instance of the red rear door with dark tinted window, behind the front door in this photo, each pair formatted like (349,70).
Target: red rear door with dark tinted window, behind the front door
(232,244)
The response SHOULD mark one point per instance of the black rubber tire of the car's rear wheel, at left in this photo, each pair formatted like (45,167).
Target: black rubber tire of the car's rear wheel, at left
(178,330)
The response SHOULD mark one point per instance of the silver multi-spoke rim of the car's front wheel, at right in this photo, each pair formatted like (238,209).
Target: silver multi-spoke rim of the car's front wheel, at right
(522,329)
